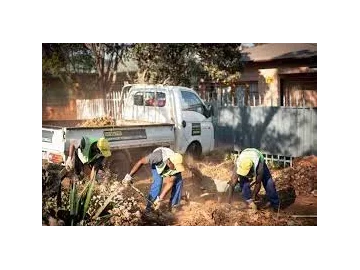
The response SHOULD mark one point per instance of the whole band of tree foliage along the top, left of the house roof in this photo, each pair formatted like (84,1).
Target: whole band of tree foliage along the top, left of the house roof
(178,63)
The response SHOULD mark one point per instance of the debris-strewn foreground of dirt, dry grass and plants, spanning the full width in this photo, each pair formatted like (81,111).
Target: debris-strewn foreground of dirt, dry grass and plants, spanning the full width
(201,205)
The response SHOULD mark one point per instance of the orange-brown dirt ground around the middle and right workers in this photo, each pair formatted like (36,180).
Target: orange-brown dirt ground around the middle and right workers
(202,205)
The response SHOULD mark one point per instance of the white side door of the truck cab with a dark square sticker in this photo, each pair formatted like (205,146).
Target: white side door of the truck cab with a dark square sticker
(195,126)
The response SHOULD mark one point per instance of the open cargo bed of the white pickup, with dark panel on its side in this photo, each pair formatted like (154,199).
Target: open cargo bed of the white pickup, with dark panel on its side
(130,134)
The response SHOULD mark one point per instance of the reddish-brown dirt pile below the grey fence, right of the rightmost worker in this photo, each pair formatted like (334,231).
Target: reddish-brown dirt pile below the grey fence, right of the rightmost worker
(303,176)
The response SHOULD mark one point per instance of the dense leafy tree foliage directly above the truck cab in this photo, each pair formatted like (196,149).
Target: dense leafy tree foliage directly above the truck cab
(186,63)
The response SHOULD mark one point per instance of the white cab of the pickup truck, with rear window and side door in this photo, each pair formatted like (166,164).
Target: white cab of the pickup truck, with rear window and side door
(181,106)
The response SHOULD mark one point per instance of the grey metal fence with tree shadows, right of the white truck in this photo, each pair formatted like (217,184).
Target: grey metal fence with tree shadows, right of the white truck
(277,130)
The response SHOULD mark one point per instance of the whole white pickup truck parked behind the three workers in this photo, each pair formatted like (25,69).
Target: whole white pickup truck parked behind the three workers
(151,116)
